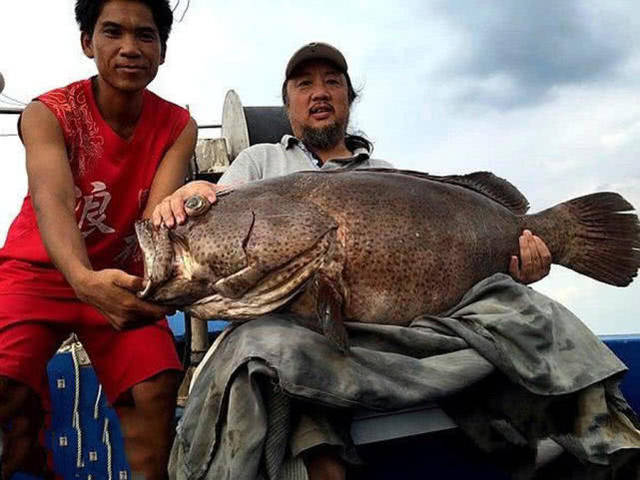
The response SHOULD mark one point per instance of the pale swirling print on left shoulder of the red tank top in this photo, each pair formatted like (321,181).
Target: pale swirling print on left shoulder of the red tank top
(71,108)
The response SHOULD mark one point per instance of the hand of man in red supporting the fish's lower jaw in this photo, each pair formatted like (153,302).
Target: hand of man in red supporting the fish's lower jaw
(113,292)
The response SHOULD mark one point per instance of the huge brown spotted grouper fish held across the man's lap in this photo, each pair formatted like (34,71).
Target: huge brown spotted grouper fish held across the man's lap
(376,245)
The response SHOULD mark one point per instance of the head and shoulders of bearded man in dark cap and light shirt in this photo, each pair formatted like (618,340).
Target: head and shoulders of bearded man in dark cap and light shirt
(318,94)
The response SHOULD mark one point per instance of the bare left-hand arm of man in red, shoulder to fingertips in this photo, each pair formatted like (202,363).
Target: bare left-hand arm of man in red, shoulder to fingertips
(53,197)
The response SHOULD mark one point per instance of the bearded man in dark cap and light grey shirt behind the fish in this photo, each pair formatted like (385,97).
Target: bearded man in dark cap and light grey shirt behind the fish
(317,93)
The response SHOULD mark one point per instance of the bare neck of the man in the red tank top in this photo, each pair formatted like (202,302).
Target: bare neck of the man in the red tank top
(121,110)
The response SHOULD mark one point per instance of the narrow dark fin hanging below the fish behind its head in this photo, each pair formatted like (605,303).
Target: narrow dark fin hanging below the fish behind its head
(329,313)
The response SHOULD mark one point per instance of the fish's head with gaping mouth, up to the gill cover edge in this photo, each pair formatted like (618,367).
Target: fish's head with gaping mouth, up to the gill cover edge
(243,256)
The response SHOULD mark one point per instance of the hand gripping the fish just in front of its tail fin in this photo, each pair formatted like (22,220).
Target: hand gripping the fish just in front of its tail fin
(535,259)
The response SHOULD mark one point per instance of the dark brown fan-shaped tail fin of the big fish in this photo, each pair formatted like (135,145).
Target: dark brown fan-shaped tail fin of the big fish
(594,235)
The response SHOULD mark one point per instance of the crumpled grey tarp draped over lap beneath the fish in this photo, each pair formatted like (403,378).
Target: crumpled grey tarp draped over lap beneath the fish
(557,379)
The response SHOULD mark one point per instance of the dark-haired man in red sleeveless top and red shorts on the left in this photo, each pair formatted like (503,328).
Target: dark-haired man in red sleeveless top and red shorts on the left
(100,153)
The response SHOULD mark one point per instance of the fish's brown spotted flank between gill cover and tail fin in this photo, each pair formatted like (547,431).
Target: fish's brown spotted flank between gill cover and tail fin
(412,246)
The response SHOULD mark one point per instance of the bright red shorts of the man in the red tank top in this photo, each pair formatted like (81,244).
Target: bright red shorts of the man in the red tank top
(32,328)
